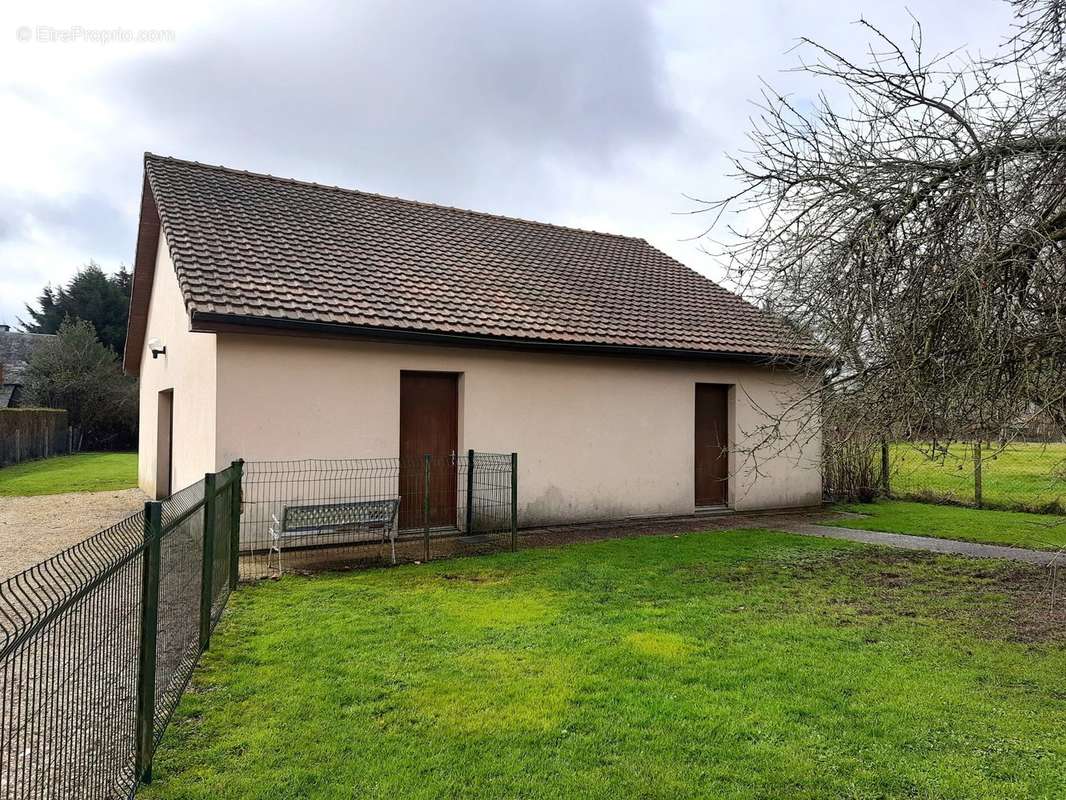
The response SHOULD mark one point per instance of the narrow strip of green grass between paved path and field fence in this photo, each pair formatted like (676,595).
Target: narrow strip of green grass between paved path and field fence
(1014,529)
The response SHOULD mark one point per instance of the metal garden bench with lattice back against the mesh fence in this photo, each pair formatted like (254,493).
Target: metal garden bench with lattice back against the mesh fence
(354,518)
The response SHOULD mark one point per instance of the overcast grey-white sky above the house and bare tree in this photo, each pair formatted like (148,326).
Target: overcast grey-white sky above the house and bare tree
(599,114)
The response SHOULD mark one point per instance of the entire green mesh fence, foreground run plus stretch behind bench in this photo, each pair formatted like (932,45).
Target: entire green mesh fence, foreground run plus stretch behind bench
(99,644)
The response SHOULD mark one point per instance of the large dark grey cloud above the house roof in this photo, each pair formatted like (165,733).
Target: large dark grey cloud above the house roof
(447,102)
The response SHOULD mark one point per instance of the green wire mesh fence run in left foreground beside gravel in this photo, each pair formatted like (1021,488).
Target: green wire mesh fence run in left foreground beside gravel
(99,643)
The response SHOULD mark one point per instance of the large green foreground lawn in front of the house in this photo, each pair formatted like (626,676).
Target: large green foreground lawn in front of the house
(740,665)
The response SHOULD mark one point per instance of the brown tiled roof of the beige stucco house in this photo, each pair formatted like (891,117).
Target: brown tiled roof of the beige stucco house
(252,249)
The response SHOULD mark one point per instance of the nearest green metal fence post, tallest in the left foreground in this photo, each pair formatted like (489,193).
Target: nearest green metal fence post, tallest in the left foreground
(150,627)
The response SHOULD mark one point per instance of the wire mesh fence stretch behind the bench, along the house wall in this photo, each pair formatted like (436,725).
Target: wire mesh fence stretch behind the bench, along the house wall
(322,514)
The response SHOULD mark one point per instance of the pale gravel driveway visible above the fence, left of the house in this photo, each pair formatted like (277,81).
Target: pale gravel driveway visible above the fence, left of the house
(35,529)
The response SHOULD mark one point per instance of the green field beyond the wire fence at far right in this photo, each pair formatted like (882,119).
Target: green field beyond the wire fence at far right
(1021,477)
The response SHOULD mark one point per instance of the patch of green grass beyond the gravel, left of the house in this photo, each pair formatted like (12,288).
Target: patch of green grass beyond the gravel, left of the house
(86,472)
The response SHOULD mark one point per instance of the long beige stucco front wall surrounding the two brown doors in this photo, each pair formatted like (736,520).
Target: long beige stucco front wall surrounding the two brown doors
(599,438)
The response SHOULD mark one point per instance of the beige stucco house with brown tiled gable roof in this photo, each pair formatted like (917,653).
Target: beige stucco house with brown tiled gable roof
(276,319)
